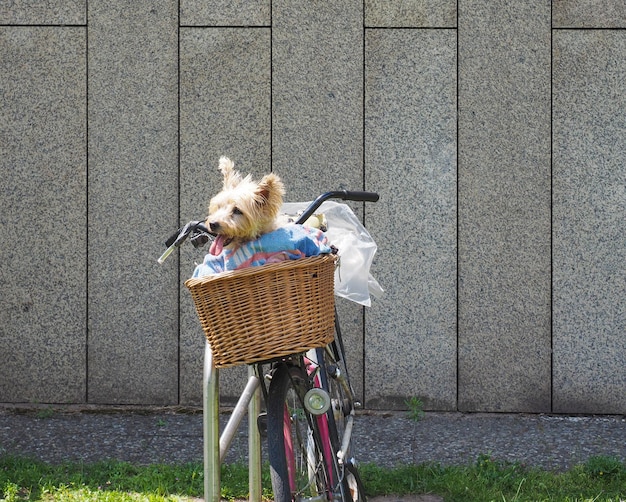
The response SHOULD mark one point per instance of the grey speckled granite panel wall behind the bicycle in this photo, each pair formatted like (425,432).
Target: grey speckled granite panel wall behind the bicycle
(494,131)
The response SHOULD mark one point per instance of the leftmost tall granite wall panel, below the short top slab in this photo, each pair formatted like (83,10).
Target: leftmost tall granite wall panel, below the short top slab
(43,214)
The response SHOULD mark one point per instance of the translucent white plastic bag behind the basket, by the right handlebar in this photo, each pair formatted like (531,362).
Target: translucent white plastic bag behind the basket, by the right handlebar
(353,279)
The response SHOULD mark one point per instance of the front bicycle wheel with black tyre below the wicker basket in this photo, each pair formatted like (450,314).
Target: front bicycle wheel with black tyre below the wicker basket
(298,466)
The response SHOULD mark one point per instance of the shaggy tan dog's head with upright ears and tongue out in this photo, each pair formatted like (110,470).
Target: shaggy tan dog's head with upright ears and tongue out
(244,209)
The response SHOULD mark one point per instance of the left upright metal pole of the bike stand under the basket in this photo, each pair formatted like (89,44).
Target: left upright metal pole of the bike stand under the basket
(211,408)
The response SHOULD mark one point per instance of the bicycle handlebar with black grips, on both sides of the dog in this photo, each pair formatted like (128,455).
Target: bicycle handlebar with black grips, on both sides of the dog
(200,234)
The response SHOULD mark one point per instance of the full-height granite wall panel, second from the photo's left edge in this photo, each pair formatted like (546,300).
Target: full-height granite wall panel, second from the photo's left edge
(133,199)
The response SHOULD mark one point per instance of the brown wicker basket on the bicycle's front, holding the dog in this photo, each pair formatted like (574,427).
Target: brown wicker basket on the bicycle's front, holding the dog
(262,313)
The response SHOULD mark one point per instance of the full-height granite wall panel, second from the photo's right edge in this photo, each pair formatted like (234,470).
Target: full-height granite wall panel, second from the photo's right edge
(504,206)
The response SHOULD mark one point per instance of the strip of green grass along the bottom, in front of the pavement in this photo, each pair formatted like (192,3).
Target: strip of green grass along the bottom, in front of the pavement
(601,479)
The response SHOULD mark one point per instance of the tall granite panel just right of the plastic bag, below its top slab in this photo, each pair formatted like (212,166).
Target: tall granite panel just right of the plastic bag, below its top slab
(410,141)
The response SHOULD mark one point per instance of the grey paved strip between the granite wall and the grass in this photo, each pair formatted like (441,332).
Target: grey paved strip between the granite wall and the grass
(171,436)
